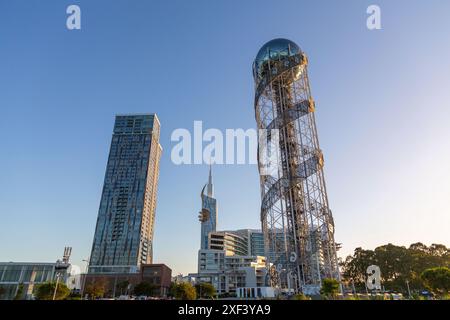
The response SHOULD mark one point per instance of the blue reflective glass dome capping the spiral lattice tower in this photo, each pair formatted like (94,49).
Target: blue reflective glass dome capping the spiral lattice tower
(273,50)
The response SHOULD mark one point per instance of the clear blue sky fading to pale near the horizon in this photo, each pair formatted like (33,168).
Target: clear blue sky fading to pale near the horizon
(382,110)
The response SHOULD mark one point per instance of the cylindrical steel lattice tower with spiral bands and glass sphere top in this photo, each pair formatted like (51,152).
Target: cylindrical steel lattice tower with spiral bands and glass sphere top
(296,220)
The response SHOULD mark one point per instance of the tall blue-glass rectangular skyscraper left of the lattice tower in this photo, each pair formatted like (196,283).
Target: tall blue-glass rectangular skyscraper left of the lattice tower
(124,233)
